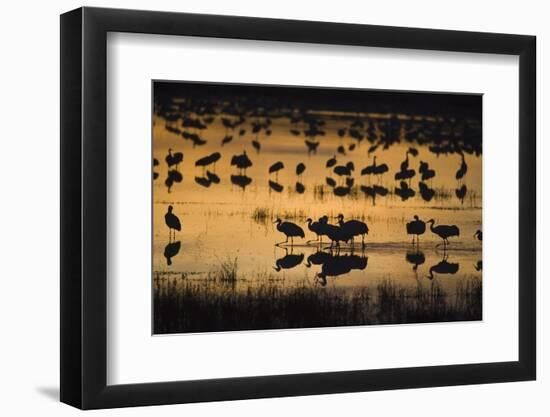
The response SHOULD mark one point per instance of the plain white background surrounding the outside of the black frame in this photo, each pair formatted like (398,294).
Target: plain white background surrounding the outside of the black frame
(29,209)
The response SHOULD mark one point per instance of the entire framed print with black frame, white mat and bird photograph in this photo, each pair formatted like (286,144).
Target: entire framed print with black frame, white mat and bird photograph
(257,208)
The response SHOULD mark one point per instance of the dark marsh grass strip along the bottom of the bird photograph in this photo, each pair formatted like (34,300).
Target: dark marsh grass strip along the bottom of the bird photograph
(182,306)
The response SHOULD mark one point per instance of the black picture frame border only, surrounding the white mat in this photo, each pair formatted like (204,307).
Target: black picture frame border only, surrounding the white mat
(84,207)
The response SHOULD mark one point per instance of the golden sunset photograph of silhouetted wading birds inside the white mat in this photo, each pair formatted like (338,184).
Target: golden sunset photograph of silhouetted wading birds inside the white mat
(278,207)
